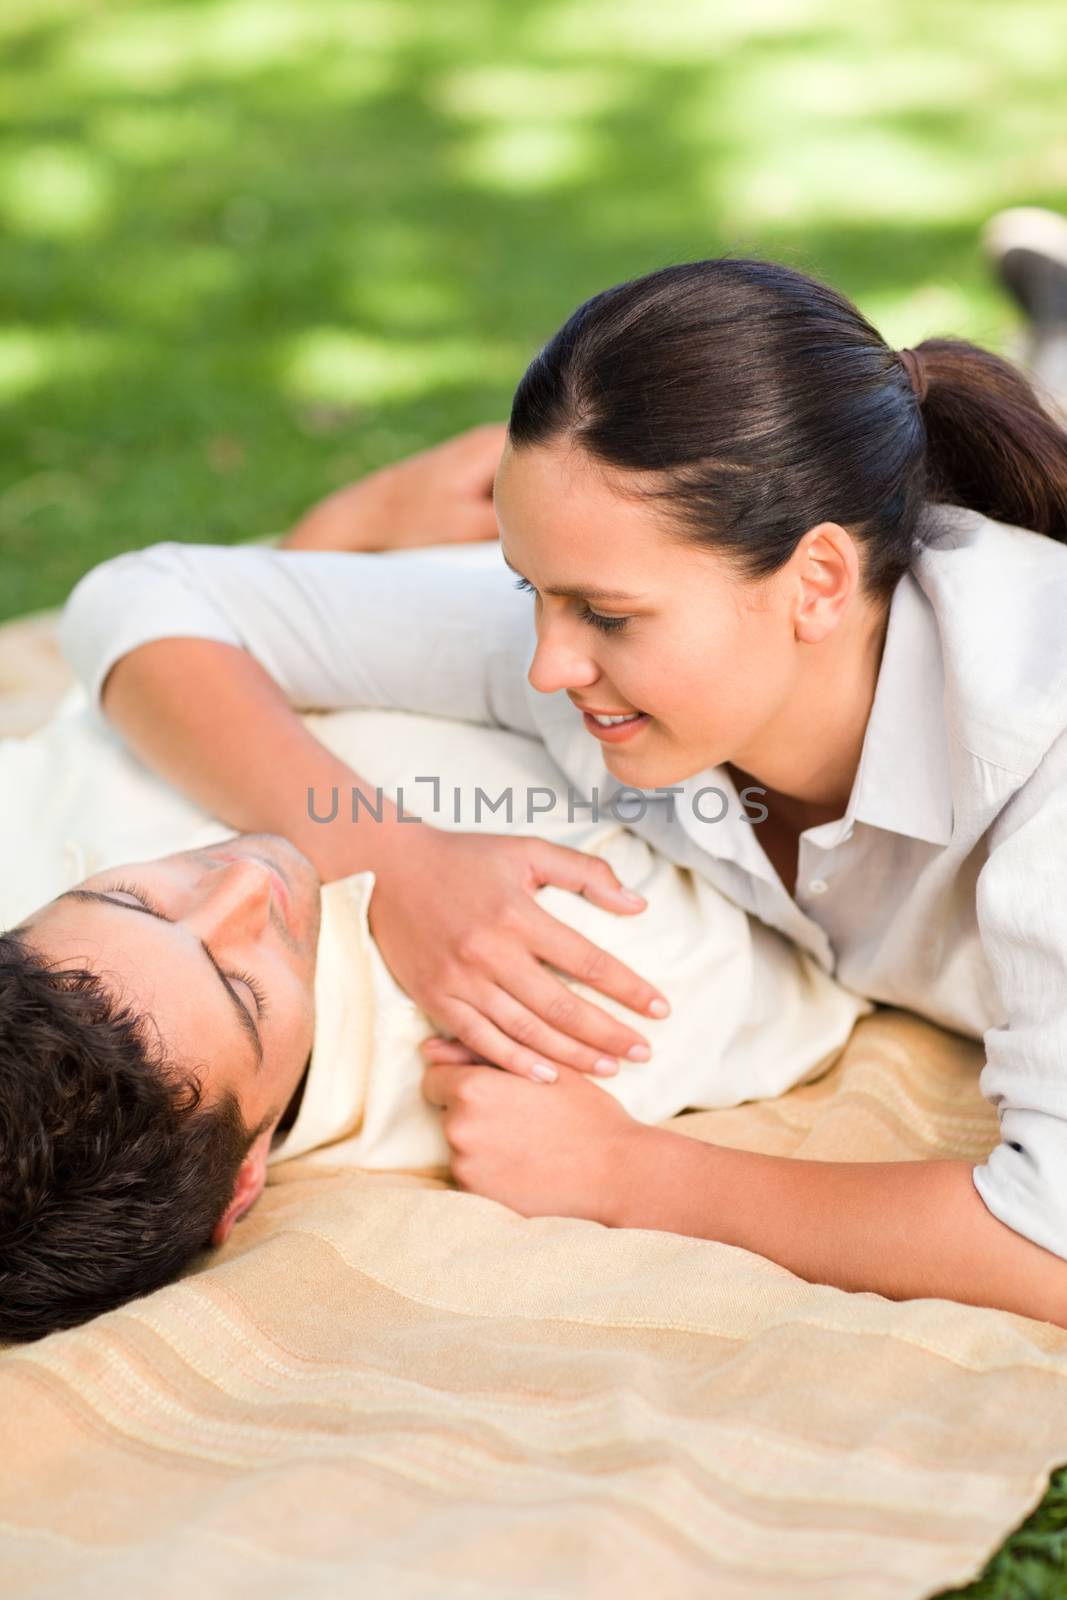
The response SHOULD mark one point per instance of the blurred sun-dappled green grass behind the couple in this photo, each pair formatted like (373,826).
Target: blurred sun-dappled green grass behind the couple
(254,249)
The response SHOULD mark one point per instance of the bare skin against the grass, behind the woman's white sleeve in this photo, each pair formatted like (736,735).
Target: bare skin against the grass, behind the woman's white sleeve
(439,497)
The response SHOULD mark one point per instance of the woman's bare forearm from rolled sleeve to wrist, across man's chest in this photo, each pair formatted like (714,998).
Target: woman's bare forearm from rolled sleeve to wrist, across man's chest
(209,718)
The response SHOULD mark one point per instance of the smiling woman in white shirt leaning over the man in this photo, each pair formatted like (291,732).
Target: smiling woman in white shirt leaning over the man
(770,554)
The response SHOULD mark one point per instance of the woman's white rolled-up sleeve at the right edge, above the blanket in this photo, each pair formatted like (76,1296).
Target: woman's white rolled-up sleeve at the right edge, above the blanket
(1023,922)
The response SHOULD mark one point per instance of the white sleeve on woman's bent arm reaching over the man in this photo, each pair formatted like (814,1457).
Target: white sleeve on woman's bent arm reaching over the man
(334,630)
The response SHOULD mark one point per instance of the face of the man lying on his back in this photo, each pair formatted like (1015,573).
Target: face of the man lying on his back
(188,940)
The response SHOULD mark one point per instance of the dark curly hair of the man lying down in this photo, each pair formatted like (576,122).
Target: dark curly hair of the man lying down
(113,1170)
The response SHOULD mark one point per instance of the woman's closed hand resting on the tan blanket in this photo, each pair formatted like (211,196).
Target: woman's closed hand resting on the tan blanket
(543,1150)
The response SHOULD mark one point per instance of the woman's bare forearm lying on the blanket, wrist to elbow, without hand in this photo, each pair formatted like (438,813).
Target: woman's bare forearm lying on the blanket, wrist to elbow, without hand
(903,1230)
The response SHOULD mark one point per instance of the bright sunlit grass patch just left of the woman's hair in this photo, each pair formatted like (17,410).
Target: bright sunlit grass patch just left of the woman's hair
(335,367)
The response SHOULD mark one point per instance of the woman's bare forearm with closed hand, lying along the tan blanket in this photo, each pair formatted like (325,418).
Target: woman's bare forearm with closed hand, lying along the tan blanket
(903,1230)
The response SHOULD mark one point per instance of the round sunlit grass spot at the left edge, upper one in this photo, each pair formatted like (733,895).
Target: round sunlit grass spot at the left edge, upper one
(55,191)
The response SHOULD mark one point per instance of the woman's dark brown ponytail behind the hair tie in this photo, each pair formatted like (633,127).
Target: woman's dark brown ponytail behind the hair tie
(989,442)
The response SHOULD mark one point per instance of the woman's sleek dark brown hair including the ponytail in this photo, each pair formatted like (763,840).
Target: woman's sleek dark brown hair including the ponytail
(756,402)
